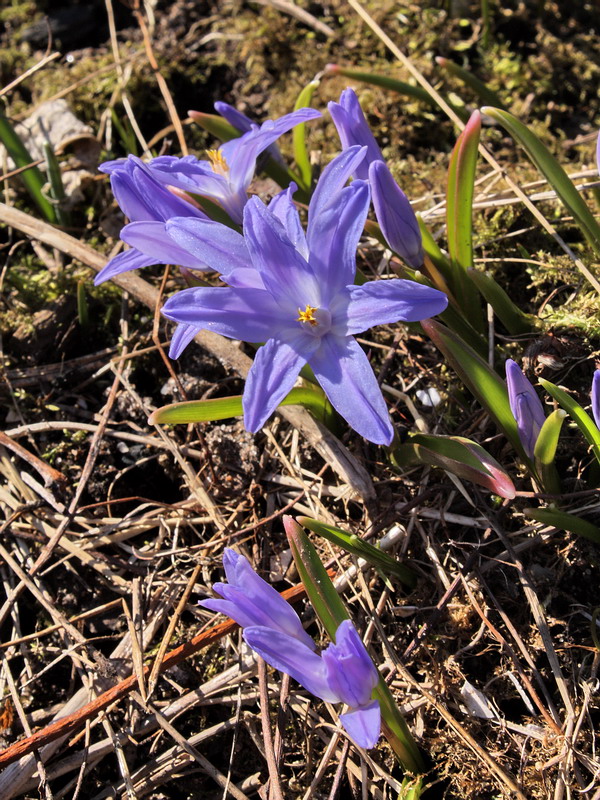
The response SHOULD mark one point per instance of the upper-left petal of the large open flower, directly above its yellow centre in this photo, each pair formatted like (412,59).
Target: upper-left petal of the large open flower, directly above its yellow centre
(283,270)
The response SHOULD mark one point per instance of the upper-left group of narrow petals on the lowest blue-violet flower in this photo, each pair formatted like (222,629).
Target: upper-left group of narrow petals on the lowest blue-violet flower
(251,601)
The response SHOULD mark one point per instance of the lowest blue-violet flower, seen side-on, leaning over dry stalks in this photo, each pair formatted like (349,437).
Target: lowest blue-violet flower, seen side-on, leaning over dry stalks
(343,673)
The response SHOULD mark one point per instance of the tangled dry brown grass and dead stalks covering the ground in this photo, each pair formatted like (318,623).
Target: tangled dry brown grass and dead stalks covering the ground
(116,684)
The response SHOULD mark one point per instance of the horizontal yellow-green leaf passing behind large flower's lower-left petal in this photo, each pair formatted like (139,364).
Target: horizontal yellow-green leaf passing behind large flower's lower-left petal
(192,411)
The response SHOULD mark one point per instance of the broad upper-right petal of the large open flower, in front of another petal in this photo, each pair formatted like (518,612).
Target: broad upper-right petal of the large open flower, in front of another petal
(335,234)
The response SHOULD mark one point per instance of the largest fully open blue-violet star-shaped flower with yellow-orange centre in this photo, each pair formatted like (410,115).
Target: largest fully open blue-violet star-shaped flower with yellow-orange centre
(297,295)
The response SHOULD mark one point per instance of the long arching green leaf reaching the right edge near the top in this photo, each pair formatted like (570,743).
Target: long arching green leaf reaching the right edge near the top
(552,171)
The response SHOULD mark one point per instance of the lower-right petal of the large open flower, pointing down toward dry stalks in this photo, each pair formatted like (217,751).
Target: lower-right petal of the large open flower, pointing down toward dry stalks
(344,372)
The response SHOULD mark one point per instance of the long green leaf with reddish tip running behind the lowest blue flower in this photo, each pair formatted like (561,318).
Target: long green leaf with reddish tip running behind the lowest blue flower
(331,611)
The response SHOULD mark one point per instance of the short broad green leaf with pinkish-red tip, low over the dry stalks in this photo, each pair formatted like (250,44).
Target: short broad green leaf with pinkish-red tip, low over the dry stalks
(459,456)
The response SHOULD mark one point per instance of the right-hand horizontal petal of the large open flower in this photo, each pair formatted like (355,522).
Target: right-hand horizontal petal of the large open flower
(381,302)
